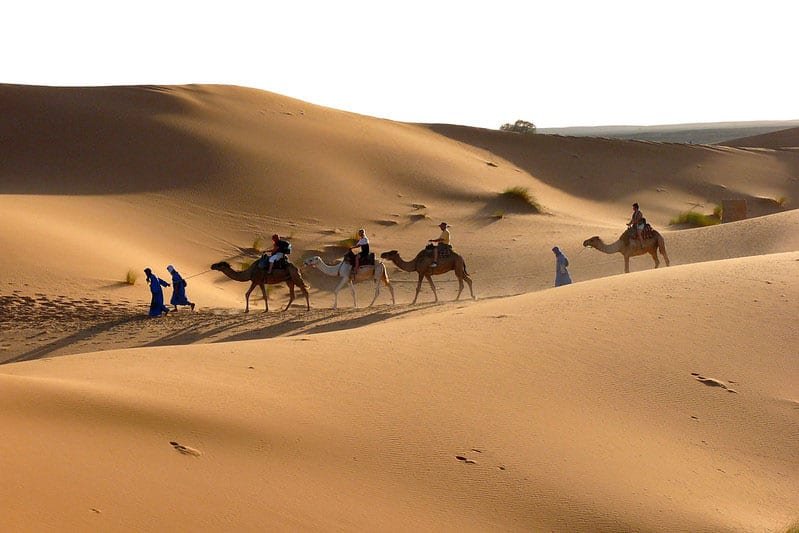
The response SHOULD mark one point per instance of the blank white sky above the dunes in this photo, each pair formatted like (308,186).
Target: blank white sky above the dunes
(555,63)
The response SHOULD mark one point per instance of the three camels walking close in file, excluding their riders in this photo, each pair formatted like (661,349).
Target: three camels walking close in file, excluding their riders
(291,275)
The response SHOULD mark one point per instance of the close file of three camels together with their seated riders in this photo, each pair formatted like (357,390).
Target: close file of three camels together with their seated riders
(274,267)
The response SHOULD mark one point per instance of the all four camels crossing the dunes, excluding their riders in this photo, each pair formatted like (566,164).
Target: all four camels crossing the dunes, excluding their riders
(421,264)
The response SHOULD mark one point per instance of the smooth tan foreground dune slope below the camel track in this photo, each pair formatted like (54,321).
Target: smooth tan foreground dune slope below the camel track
(586,407)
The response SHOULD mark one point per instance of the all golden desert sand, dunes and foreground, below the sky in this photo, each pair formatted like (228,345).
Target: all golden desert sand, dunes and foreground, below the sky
(661,400)
